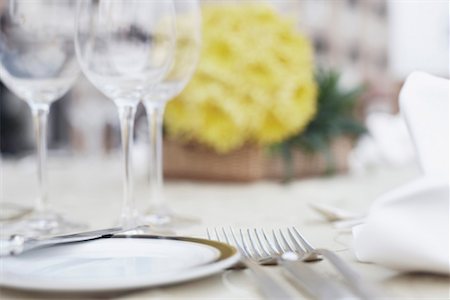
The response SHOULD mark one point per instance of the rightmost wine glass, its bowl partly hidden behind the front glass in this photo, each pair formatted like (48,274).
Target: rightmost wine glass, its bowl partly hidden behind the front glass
(187,48)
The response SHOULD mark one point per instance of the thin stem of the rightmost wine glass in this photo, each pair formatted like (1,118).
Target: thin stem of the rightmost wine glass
(155,112)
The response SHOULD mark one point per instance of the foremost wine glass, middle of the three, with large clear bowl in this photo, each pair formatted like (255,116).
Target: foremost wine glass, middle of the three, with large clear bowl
(125,47)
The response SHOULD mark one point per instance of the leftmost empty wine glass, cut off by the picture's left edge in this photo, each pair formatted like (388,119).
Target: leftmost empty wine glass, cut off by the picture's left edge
(38,64)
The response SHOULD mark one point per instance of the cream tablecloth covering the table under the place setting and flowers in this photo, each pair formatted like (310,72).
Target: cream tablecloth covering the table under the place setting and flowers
(81,187)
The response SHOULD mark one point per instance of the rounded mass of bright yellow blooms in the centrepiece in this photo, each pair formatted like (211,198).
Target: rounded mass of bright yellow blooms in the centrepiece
(254,81)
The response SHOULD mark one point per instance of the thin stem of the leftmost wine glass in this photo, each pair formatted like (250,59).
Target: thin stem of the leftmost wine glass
(40,117)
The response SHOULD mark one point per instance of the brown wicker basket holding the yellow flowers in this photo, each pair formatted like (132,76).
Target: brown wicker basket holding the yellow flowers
(192,161)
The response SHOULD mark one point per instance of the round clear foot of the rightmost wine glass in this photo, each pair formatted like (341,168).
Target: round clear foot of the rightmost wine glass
(168,219)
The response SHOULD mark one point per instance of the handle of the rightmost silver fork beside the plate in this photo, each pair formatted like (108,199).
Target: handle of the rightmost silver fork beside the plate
(361,287)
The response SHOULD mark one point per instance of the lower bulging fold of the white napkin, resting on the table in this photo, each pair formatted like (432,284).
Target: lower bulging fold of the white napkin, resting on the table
(407,229)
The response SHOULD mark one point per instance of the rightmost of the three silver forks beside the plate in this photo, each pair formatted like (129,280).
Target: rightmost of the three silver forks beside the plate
(309,254)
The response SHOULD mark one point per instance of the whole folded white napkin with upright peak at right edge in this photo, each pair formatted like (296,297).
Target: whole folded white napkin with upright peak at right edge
(408,228)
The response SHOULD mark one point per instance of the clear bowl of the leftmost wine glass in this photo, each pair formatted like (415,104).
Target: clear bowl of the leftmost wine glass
(37,60)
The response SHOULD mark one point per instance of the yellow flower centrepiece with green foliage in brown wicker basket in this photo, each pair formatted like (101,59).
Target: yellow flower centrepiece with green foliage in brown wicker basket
(256,88)
